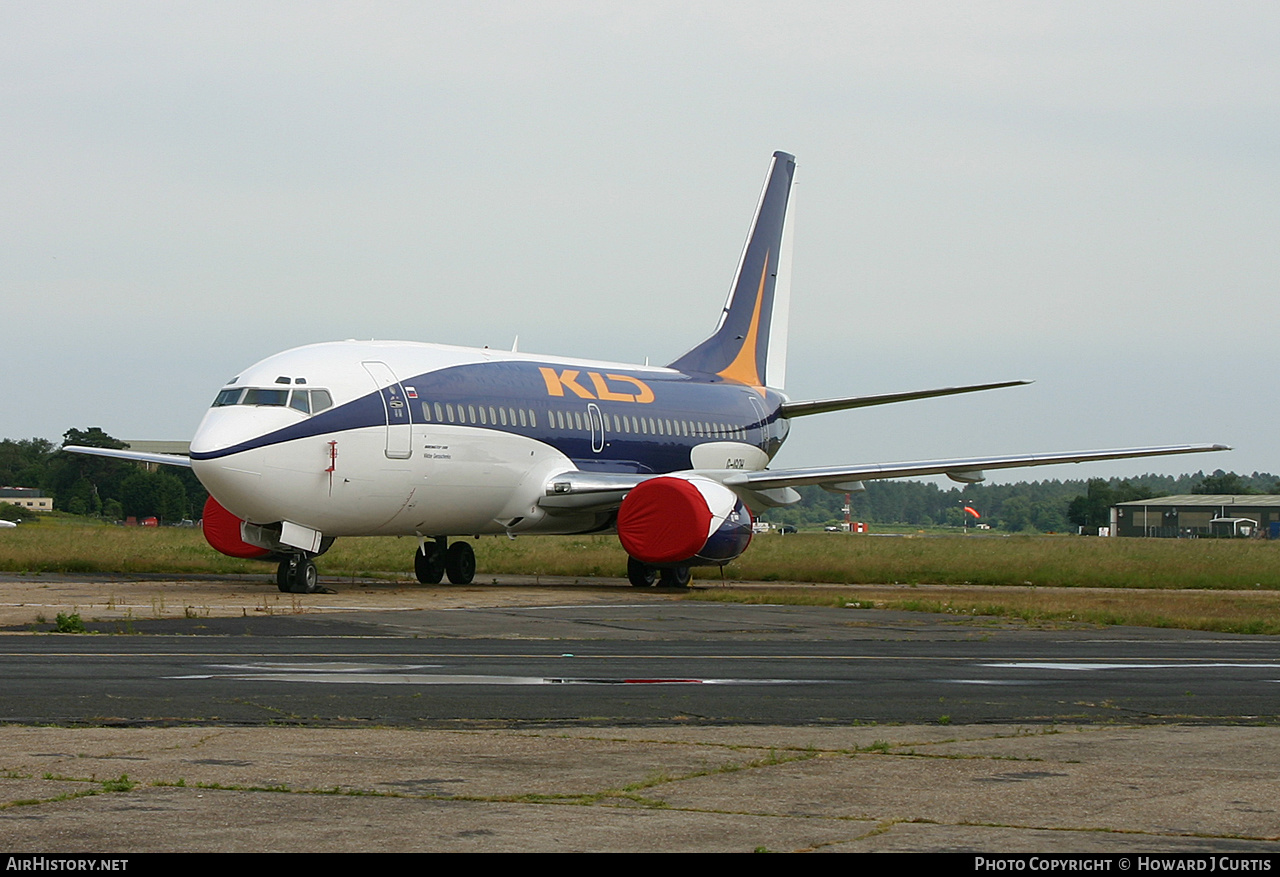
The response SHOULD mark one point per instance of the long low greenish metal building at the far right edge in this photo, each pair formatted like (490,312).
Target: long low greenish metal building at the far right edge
(1199,515)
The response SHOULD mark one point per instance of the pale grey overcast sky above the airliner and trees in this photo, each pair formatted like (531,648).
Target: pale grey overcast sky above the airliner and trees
(1080,194)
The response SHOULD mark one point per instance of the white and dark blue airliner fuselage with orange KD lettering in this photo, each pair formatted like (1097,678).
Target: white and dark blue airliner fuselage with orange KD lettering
(354,469)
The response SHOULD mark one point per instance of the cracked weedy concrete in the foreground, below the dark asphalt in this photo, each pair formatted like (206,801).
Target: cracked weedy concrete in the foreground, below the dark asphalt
(989,789)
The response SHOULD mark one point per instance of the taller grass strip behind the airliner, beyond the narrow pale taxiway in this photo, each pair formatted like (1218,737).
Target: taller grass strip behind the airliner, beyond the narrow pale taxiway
(830,559)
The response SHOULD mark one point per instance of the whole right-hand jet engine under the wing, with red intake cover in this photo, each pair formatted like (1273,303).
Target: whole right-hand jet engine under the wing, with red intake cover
(684,522)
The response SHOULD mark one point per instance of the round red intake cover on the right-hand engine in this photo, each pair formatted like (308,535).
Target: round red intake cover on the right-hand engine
(664,520)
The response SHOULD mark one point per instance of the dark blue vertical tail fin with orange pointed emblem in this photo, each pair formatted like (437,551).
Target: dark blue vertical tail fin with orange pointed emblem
(749,344)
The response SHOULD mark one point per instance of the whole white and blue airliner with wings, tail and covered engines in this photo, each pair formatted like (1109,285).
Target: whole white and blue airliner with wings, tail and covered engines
(400,438)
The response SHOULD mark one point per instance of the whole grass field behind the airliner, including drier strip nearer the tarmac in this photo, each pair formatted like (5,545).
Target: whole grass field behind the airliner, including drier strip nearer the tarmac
(1228,586)
